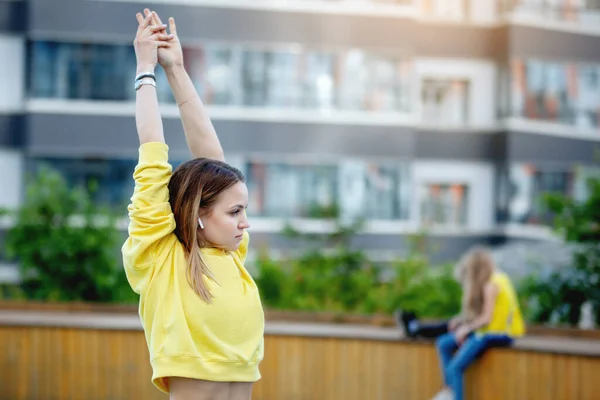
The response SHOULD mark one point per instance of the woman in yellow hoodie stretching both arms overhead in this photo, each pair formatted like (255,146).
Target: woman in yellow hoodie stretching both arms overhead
(200,309)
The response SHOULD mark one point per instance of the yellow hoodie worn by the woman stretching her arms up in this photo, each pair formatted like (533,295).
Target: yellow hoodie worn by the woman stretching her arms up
(187,337)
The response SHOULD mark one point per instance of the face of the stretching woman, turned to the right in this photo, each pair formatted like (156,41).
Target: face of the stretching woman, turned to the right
(227,221)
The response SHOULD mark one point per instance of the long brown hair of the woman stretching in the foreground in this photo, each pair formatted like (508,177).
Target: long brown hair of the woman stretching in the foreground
(193,190)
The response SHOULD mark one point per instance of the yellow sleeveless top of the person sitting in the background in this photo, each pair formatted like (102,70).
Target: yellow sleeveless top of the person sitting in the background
(507,318)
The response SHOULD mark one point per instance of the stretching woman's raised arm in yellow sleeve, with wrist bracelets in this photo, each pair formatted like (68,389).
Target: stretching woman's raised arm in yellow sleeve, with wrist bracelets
(150,215)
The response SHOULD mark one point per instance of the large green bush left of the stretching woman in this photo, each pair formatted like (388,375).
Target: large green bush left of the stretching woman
(65,244)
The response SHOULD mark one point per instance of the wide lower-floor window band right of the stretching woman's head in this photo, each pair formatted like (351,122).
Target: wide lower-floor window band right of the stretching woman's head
(351,188)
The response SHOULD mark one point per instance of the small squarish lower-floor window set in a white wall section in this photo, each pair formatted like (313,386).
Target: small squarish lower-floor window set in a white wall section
(444,204)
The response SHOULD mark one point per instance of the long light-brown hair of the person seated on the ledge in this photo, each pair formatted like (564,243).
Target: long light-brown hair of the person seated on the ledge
(473,271)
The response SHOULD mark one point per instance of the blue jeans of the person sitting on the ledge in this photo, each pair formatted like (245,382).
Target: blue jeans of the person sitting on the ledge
(454,365)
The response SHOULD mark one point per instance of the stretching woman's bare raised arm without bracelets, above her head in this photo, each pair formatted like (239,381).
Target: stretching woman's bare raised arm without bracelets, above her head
(199,131)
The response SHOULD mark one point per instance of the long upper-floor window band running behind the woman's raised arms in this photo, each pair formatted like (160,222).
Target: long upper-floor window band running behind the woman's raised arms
(231,75)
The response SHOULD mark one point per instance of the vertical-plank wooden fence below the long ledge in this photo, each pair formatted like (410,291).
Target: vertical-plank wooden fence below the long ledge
(67,363)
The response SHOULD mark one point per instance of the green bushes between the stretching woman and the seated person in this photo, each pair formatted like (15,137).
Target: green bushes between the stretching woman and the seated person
(340,279)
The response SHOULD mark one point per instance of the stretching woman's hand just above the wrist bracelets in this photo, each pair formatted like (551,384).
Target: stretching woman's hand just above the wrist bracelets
(147,42)
